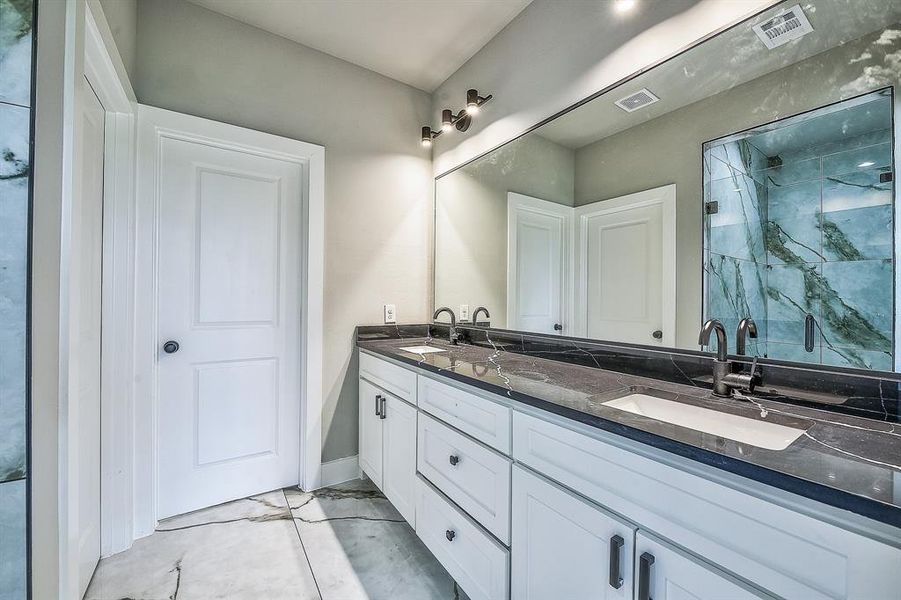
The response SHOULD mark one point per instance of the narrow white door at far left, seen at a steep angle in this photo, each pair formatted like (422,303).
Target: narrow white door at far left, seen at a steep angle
(87,247)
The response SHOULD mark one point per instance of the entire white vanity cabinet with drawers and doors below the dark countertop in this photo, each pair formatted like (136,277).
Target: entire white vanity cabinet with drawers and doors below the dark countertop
(516,502)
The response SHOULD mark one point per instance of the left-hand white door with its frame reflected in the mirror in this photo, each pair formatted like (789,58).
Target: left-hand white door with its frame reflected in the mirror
(538,239)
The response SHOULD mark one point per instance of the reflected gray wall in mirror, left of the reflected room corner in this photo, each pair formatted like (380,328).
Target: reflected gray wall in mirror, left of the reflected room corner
(471,219)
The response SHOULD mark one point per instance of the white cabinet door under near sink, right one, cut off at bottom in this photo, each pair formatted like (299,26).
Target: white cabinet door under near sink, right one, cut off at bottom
(665,573)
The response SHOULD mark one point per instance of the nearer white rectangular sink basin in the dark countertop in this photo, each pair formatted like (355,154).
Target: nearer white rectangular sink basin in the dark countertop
(762,434)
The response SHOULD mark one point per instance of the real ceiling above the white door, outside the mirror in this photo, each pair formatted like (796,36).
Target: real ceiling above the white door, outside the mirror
(419,43)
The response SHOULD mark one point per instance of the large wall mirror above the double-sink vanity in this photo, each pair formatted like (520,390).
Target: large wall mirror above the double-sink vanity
(750,176)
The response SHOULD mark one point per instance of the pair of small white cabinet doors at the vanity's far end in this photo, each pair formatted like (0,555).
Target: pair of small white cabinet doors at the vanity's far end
(388,446)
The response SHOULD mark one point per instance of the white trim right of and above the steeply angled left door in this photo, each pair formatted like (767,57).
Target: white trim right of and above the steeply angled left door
(104,70)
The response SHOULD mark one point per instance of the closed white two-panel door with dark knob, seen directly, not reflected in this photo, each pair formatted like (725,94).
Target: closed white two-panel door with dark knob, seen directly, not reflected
(229,276)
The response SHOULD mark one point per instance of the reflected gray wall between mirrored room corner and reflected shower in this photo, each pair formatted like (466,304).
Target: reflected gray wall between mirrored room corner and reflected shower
(668,149)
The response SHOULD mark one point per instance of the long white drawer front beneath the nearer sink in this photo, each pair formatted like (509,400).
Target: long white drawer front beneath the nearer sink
(786,552)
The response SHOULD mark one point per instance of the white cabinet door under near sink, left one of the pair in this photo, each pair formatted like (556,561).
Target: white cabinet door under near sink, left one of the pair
(565,547)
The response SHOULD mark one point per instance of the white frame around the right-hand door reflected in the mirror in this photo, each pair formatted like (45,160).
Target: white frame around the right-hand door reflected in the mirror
(665,196)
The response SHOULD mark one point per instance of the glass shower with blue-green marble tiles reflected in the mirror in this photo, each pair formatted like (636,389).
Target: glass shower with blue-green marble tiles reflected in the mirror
(798,233)
